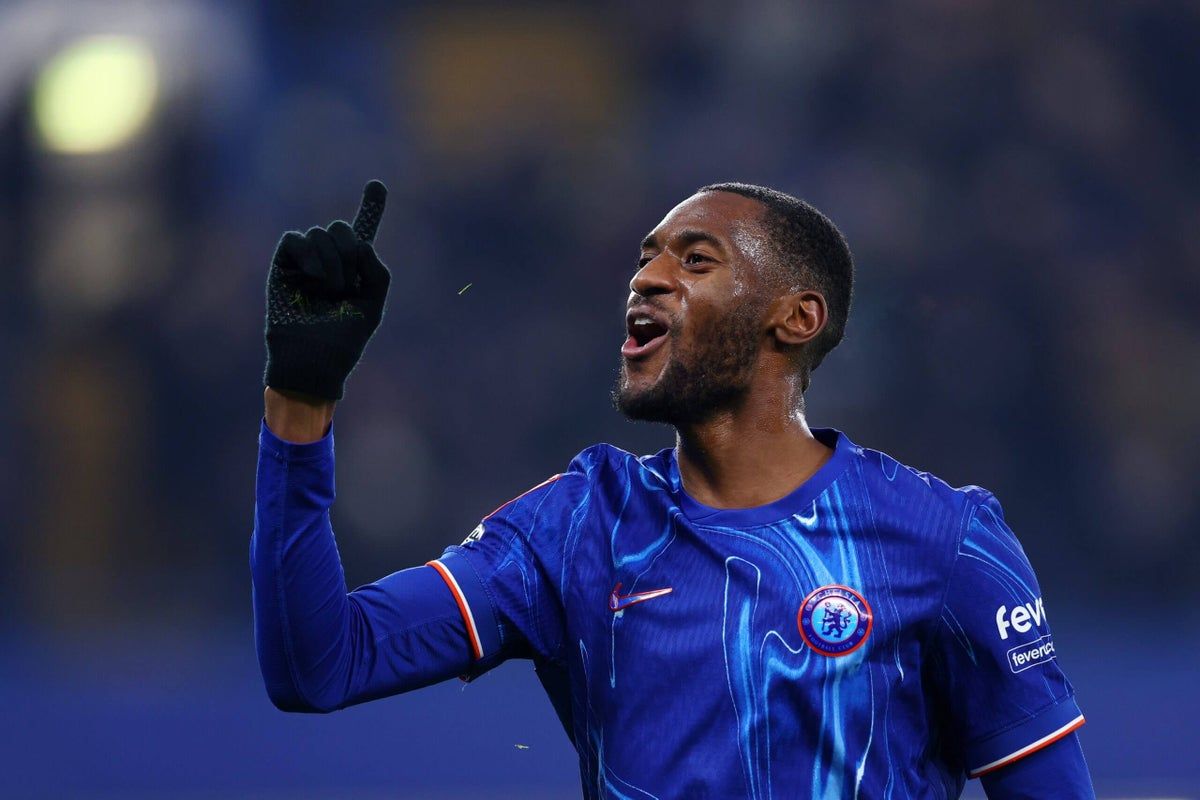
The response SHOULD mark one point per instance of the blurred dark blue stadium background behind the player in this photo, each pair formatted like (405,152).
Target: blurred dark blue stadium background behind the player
(1021,185)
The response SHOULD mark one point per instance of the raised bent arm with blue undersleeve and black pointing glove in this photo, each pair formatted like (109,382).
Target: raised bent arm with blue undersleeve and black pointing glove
(320,647)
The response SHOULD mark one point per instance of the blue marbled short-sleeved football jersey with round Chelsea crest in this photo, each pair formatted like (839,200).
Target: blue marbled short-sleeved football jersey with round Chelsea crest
(874,634)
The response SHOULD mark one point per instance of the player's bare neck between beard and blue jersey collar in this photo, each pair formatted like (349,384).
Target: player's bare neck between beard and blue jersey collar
(751,455)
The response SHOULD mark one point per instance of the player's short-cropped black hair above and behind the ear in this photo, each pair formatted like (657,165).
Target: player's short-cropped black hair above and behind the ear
(812,250)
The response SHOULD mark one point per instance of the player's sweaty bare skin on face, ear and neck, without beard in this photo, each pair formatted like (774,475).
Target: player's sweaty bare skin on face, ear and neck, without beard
(701,263)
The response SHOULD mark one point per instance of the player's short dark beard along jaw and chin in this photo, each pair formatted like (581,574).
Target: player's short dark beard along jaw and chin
(699,382)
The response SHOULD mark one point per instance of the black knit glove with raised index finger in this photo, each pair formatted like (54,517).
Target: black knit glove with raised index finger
(326,294)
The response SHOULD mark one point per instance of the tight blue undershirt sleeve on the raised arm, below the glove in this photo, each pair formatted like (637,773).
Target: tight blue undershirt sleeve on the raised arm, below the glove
(321,648)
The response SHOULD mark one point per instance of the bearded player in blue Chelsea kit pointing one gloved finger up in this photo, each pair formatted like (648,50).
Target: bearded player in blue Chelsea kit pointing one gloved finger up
(764,611)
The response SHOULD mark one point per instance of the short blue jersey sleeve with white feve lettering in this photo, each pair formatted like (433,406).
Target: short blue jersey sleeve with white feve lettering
(1005,693)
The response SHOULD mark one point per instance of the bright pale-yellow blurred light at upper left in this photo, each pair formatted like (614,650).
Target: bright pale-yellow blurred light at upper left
(97,95)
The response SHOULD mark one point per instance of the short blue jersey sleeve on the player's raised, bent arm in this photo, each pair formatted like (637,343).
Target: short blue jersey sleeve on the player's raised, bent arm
(509,575)
